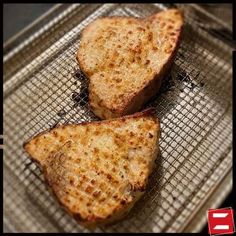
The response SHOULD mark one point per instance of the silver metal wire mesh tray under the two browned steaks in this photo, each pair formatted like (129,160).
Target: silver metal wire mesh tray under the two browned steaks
(196,129)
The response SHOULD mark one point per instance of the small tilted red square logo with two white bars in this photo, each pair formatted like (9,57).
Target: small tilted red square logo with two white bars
(221,221)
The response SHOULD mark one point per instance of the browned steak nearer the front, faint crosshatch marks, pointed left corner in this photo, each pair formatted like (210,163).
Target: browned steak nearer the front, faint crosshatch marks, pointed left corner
(98,170)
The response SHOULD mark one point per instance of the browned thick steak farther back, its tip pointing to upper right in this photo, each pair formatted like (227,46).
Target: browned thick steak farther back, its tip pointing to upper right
(125,59)
